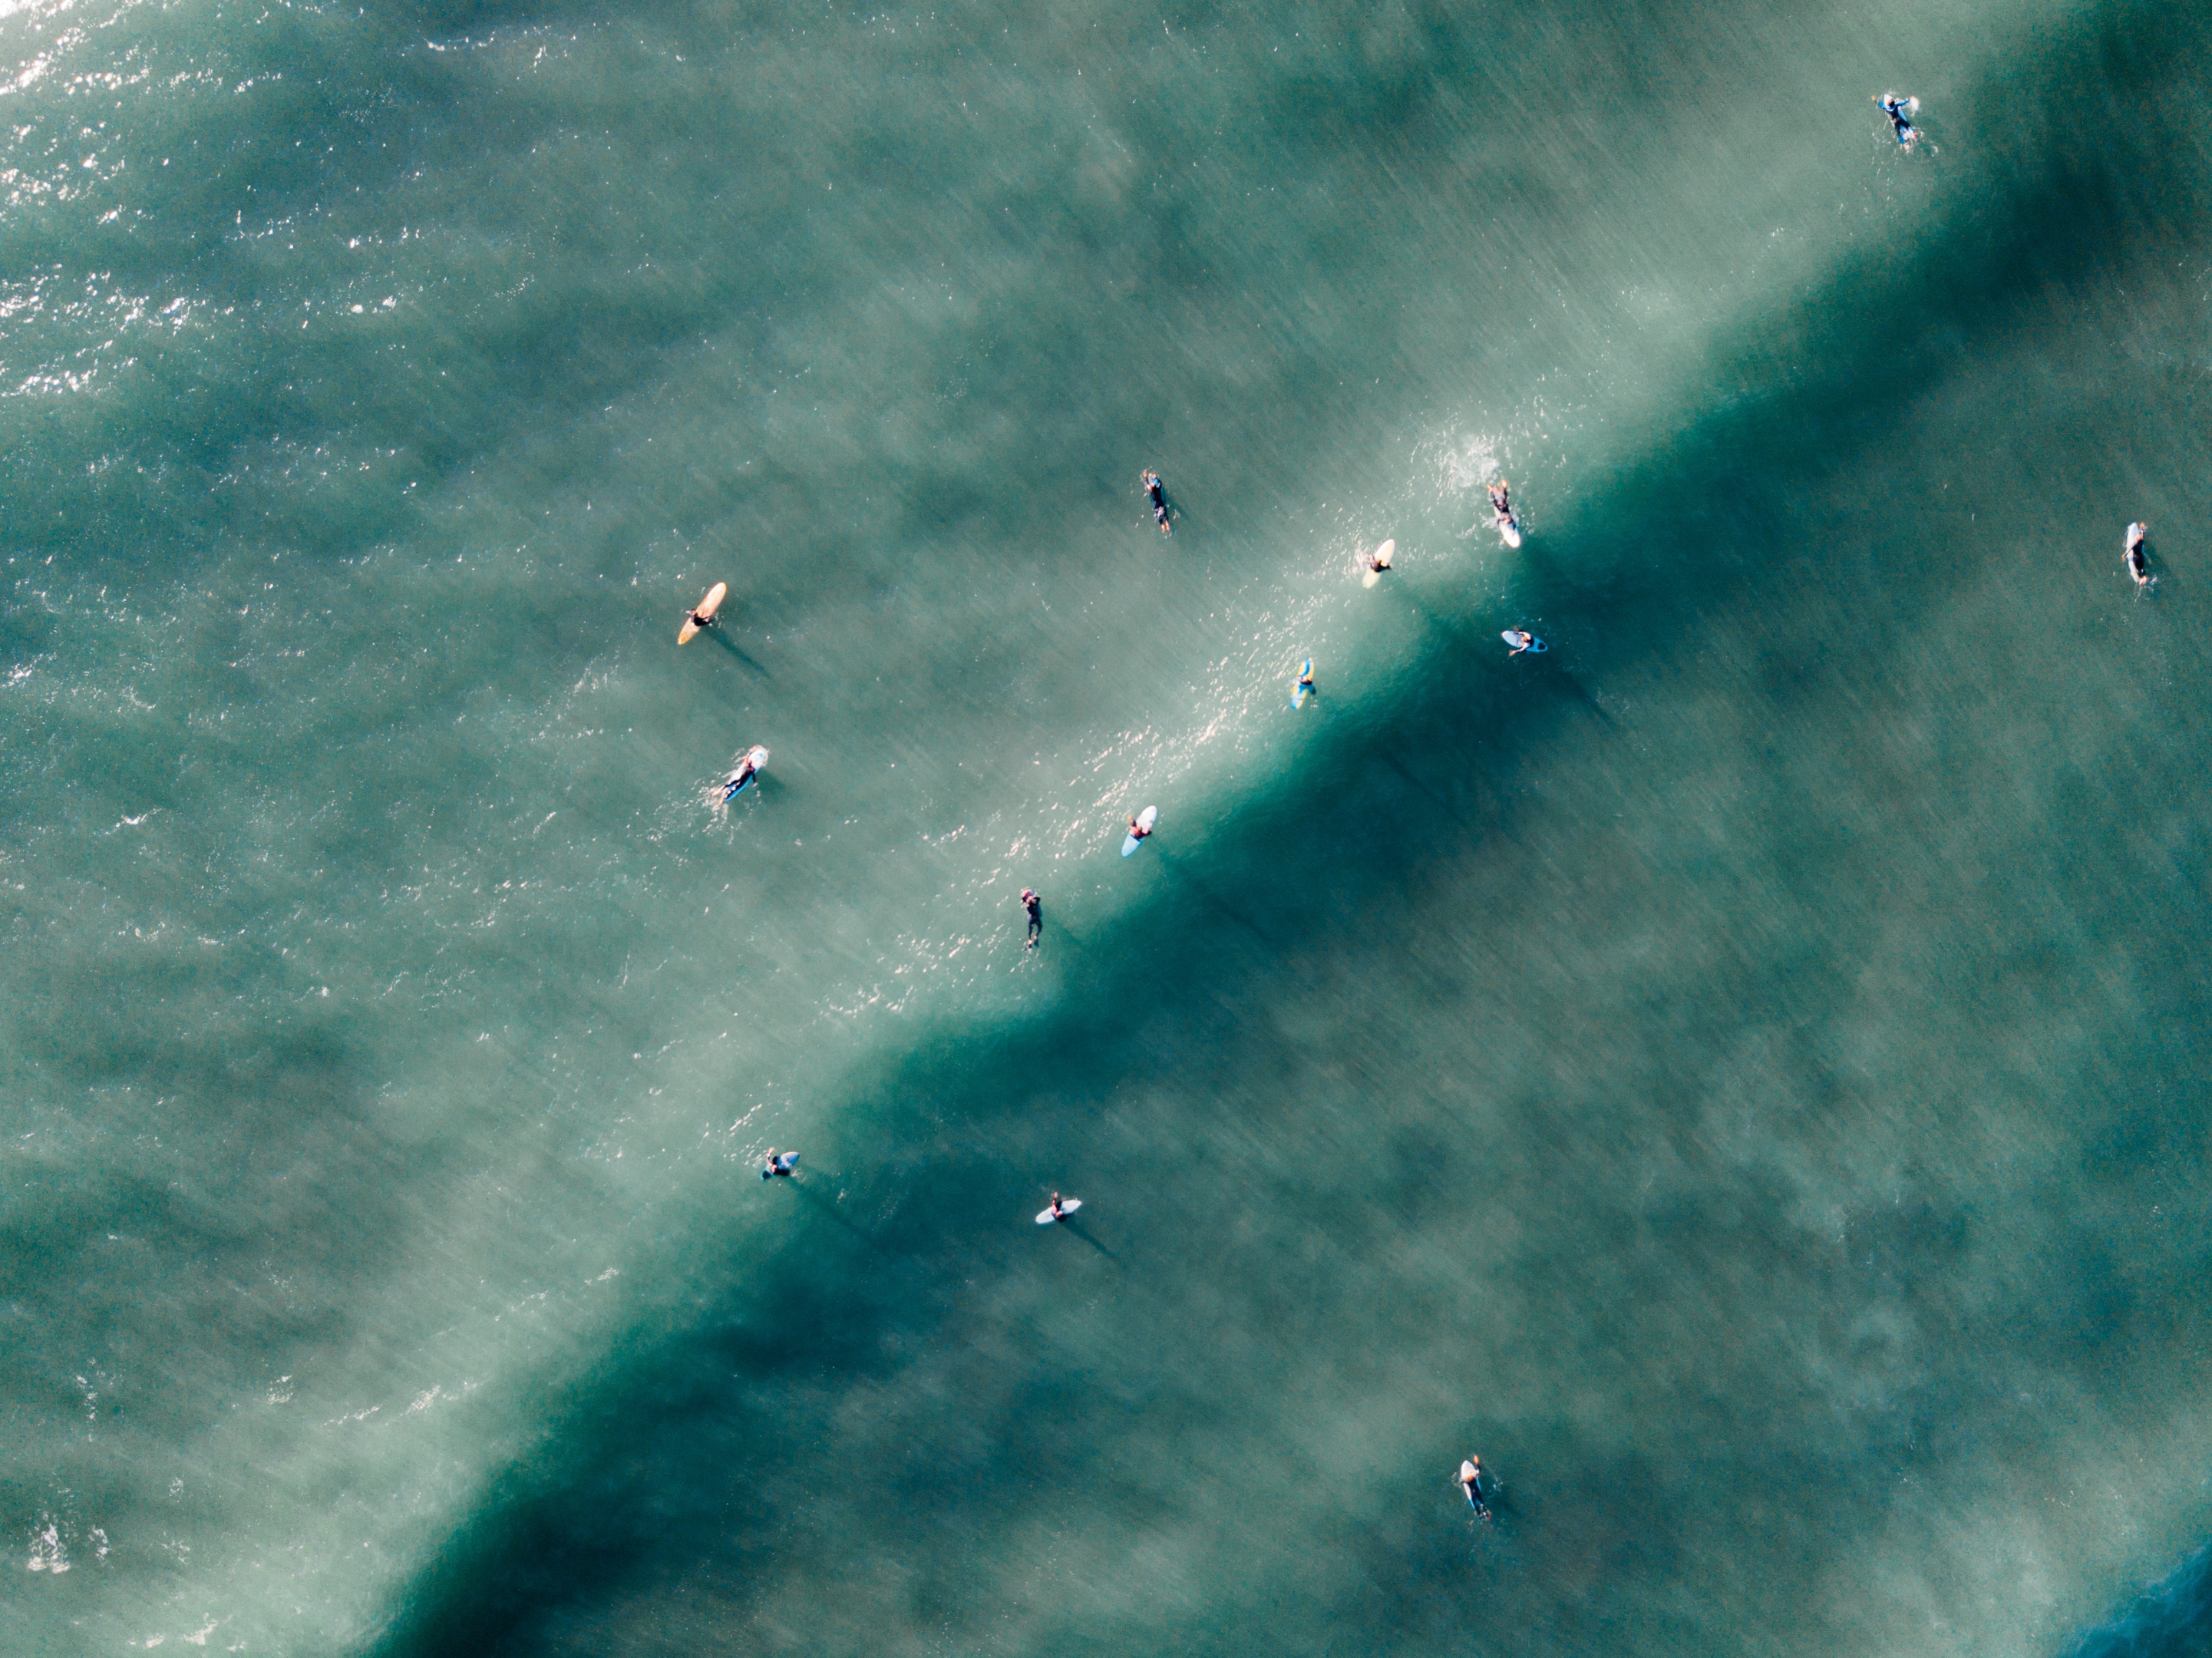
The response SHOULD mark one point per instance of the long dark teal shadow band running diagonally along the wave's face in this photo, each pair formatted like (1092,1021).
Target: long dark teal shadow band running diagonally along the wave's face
(1795,404)
